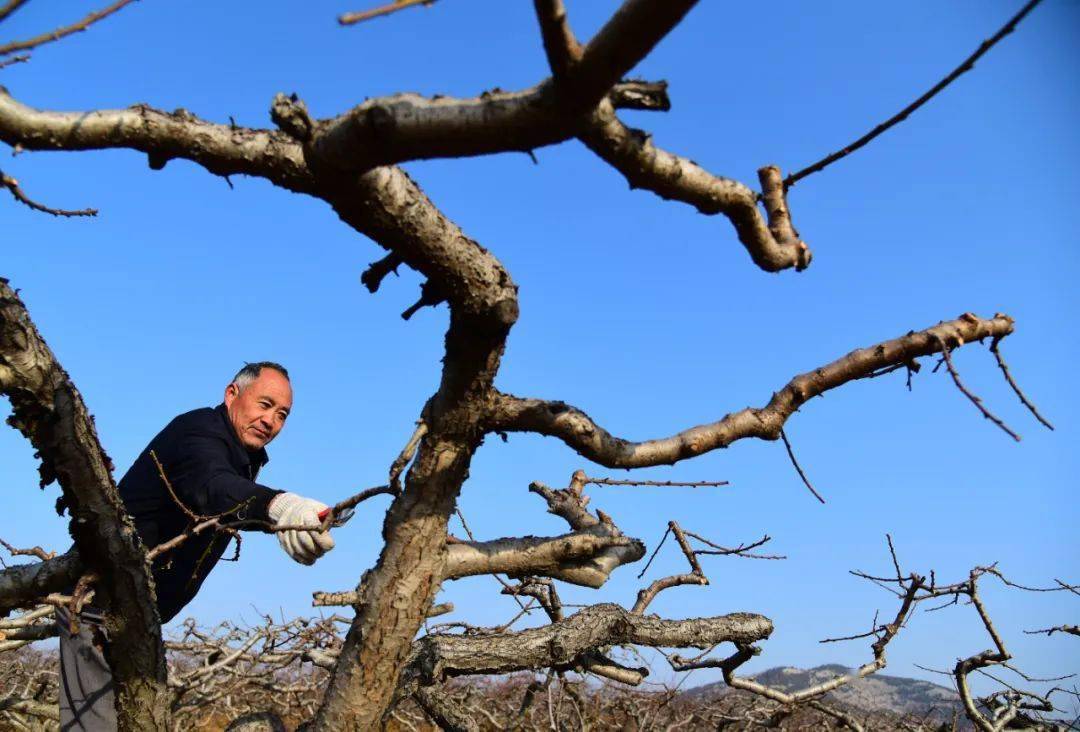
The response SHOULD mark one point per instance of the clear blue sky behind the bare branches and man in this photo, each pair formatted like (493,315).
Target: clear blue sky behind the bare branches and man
(646,315)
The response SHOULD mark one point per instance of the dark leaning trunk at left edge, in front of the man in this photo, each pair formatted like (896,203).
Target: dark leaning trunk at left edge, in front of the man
(50,413)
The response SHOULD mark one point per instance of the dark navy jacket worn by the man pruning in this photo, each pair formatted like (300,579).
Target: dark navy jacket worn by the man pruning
(212,473)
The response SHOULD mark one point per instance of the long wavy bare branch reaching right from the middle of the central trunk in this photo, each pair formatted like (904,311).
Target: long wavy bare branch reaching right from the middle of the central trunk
(575,428)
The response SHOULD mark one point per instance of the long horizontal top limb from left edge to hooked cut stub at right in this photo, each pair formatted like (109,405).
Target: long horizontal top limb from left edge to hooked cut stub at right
(316,157)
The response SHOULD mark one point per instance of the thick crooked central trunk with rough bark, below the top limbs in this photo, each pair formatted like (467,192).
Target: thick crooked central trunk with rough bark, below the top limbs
(397,594)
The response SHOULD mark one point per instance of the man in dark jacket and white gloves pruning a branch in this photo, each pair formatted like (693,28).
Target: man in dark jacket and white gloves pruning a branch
(202,465)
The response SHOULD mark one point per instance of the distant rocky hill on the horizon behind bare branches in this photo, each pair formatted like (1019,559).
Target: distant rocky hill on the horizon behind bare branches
(874,694)
